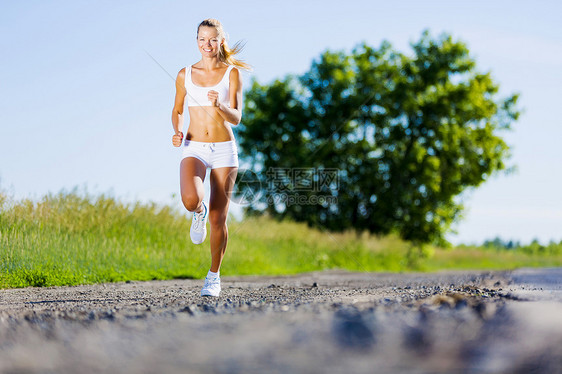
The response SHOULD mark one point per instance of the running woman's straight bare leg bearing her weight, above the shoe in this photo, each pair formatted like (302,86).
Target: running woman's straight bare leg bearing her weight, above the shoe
(222,183)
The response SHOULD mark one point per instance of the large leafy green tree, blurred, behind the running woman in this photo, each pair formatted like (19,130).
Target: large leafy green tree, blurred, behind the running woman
(407,134)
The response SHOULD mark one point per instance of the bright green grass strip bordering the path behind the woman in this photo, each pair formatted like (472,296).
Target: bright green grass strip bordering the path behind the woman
(71,238)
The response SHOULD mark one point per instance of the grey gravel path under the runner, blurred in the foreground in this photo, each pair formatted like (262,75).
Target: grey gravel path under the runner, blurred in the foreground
(325,322)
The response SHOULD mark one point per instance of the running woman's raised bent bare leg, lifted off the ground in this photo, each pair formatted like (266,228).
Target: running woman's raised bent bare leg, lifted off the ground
(192,176)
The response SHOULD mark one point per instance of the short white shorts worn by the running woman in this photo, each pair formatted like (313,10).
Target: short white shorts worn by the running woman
(213,155)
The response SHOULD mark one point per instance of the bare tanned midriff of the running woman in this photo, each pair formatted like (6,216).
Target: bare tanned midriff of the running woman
(207,125)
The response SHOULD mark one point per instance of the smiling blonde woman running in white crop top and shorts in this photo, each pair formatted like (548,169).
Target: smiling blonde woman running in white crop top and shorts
(213,89)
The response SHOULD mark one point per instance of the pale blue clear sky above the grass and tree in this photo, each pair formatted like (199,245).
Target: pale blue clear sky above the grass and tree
(83,104)
